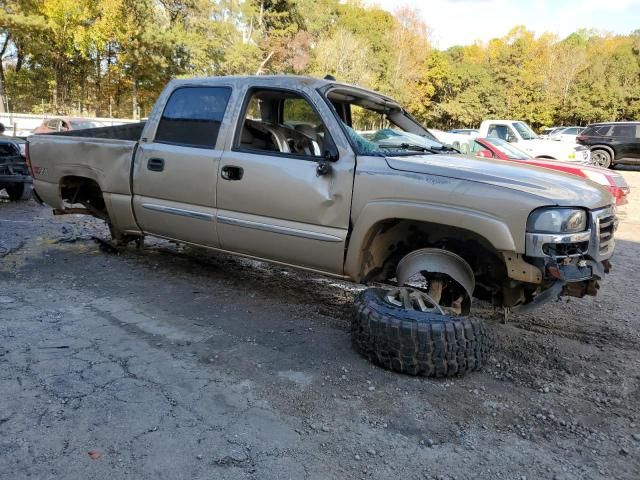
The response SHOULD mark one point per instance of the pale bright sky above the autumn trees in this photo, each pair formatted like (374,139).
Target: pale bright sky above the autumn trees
(461,22)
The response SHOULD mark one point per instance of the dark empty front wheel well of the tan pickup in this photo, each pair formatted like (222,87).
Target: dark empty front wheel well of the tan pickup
(390,240)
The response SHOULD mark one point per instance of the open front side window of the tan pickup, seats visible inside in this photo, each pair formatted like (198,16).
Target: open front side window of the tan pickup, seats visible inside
(282,122)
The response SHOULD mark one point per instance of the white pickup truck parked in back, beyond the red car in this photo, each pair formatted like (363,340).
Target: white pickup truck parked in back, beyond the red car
(520,134)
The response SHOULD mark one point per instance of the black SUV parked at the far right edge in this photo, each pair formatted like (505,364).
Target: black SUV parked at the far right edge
(612,142)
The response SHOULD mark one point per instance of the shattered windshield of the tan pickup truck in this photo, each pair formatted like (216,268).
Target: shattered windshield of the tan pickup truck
(378,127)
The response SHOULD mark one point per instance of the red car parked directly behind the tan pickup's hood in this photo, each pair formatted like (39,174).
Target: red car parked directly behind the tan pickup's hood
(497,148)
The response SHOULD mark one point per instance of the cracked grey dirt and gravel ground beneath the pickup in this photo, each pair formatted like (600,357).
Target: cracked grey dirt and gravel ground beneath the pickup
(179,363)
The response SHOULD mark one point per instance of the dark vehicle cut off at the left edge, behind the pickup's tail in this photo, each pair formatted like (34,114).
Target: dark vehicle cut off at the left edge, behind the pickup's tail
(14,175)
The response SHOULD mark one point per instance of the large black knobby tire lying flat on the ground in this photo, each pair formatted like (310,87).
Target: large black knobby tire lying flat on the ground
(417,343)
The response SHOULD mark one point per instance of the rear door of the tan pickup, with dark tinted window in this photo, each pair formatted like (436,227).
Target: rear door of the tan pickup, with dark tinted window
(175,172)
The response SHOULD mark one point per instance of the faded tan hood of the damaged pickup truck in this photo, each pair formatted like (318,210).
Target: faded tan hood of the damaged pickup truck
(554,187)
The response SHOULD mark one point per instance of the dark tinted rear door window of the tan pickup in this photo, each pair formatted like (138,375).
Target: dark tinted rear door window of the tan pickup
(192,116)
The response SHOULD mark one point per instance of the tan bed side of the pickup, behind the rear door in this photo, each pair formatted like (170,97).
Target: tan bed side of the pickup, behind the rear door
(101,154)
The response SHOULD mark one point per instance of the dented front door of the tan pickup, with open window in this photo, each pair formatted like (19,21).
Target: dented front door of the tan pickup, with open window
(277,196)
